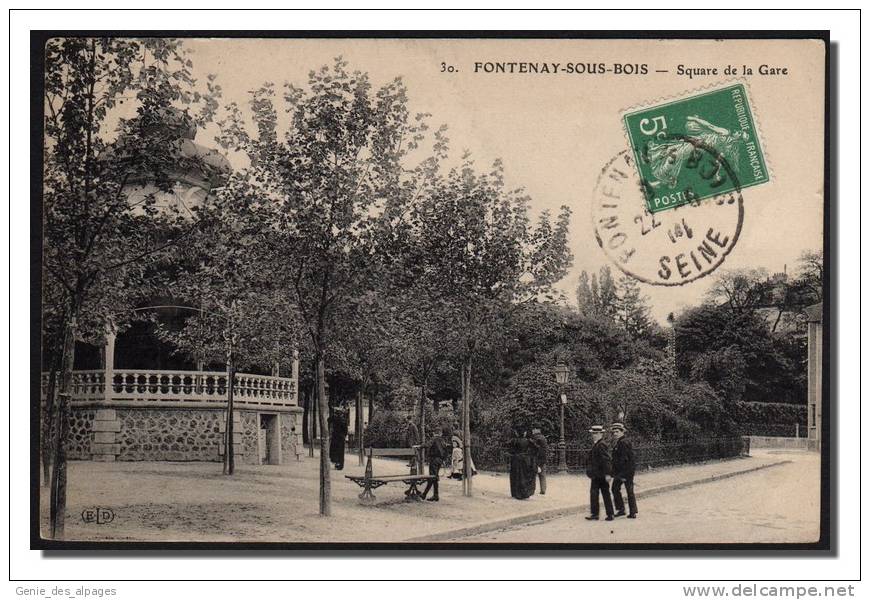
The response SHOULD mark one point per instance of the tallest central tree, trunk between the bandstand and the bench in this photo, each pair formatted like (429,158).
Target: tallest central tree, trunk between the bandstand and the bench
(334,187)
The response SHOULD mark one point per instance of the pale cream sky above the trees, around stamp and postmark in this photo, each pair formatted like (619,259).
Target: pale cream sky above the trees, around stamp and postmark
(555,132)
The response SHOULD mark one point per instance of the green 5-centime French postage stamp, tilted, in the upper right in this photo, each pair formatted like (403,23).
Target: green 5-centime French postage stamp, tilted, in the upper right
(695,148)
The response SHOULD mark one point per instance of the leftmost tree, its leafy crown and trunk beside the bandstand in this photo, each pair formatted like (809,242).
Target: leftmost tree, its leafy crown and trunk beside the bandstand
(97,242)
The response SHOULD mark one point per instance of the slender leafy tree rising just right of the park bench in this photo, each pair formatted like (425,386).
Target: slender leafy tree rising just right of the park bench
(479,253)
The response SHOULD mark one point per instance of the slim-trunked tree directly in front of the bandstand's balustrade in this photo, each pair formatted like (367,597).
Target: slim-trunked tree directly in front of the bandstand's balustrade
(239,317)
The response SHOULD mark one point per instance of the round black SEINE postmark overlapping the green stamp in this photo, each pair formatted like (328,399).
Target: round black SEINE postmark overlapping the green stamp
(669,247)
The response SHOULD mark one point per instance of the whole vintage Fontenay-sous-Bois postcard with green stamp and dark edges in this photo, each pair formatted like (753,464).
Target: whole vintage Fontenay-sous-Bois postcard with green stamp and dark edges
(436,290)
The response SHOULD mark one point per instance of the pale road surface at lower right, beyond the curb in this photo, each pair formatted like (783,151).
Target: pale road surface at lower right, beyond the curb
(779,504)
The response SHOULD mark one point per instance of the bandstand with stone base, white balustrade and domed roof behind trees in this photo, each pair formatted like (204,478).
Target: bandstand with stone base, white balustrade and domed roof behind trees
(143,403)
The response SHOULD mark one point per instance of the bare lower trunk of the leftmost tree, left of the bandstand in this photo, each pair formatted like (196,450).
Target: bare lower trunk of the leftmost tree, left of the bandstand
(57,510)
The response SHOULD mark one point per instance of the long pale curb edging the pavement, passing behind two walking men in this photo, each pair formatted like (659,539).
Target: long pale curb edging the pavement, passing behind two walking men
(555,513)
